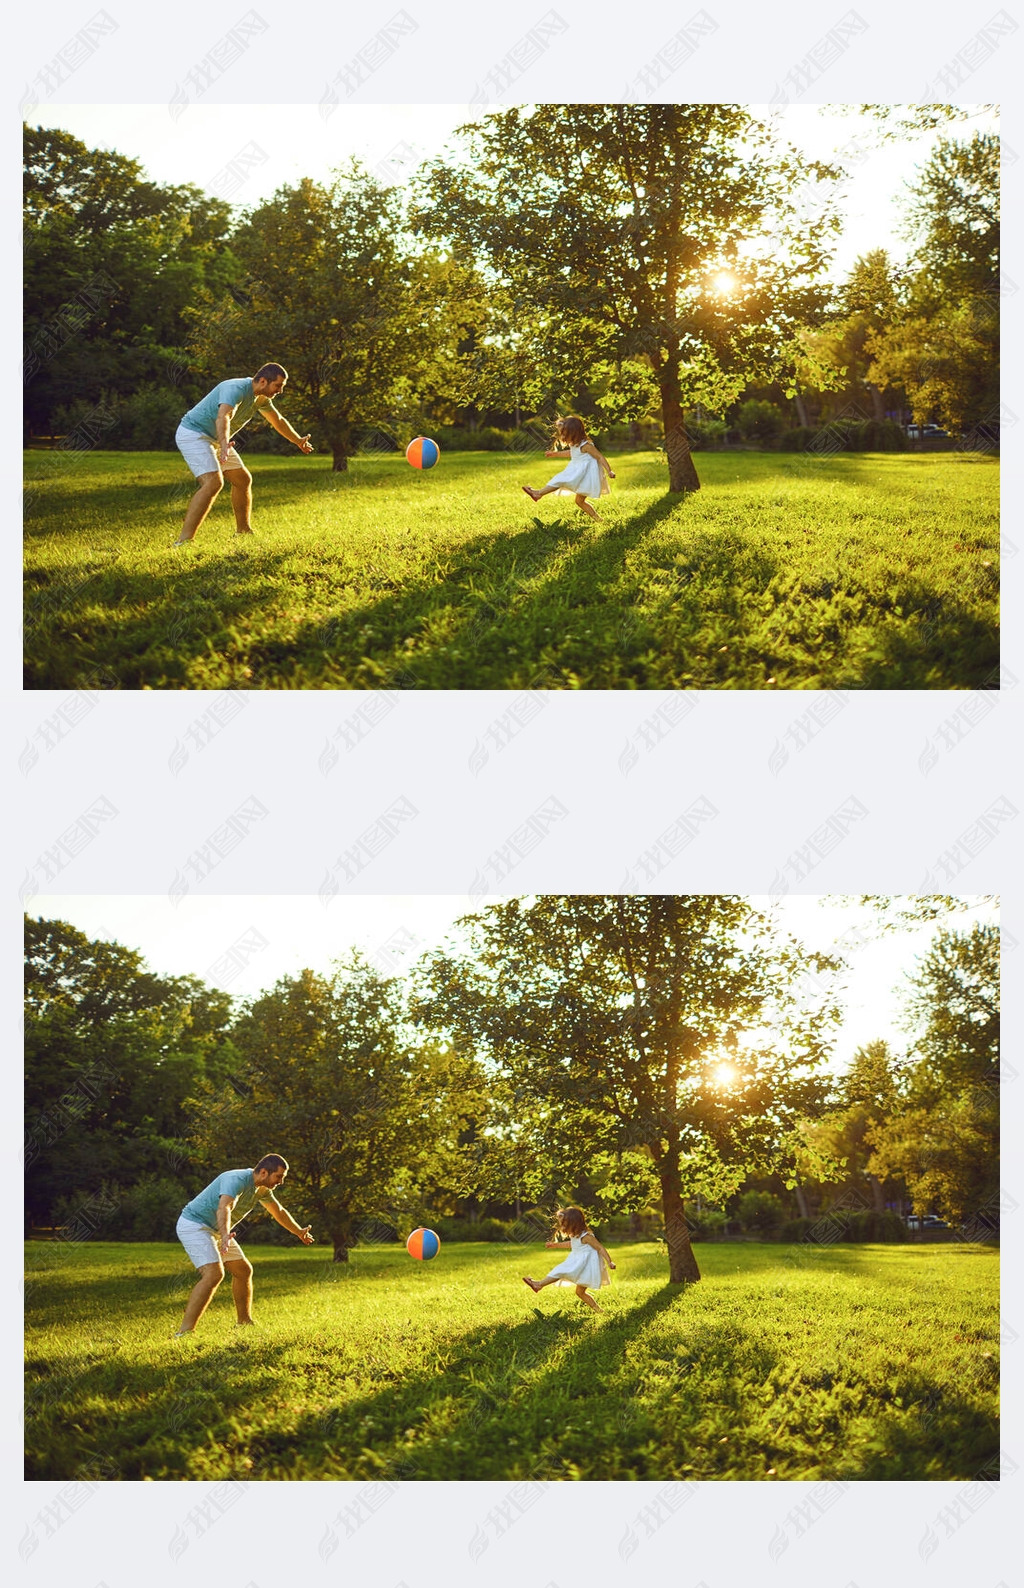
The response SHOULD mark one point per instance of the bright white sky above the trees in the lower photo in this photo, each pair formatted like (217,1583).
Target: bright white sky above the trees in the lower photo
(245,942)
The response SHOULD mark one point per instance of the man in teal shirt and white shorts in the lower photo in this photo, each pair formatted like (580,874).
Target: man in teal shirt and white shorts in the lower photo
(206,1233)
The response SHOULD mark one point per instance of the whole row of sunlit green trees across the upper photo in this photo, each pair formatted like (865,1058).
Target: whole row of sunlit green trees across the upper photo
(463,306)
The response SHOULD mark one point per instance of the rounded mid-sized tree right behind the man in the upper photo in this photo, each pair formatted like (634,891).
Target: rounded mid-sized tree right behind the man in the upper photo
(334,290)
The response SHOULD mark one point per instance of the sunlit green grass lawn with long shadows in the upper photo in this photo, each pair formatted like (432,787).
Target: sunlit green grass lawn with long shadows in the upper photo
(855,572)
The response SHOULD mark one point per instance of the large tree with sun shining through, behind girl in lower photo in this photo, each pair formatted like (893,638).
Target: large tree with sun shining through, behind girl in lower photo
(641,1028)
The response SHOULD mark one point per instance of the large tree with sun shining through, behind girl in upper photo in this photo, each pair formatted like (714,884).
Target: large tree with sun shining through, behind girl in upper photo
(655,244)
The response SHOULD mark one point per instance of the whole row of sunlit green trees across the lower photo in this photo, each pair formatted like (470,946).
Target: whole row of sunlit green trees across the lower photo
(558,1057)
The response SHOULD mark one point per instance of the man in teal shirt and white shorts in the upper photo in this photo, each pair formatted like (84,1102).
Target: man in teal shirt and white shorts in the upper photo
(204,441)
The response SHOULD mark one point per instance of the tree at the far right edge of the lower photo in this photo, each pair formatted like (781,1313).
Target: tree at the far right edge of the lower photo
(944,1136)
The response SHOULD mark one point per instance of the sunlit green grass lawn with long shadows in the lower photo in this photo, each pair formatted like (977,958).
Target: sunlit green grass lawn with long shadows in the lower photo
(783,1363)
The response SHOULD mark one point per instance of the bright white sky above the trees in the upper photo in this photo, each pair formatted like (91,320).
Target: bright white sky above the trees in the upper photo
(245,153)
